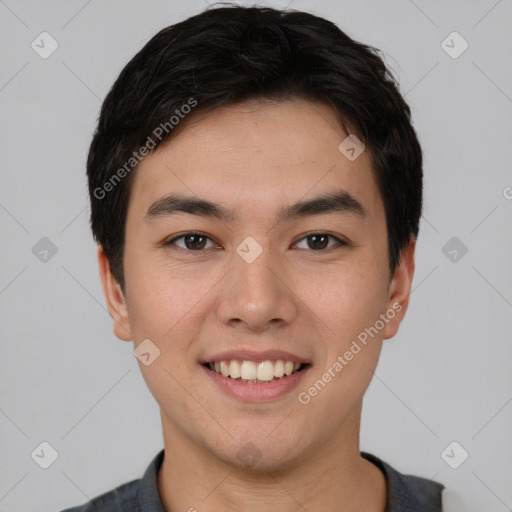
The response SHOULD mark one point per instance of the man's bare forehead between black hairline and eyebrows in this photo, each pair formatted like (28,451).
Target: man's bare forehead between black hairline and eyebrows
(255,157)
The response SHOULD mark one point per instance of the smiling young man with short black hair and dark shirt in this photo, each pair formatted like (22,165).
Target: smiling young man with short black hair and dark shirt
(256,190)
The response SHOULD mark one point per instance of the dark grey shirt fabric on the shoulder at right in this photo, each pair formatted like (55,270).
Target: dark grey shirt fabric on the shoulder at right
(408,492)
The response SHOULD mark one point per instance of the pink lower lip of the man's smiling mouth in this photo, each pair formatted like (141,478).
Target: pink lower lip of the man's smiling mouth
(254,392)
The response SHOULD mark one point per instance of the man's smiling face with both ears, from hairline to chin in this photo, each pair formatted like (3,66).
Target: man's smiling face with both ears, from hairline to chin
(286,264)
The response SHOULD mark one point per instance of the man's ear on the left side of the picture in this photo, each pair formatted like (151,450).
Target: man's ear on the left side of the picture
(114,296)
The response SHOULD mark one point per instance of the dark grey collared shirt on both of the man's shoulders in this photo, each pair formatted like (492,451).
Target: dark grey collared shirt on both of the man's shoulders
(406,493)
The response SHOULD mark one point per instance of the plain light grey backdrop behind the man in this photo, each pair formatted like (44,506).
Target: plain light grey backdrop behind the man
(67,380)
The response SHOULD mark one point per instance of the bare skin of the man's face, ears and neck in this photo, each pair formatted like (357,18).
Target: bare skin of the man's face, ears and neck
(255,158)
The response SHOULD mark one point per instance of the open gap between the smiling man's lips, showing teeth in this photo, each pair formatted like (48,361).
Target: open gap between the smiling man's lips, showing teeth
(256,372)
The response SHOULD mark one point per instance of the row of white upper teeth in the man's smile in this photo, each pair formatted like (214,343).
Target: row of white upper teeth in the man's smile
(249,370)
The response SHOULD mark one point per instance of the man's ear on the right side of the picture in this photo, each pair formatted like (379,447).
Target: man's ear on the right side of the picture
(400,289)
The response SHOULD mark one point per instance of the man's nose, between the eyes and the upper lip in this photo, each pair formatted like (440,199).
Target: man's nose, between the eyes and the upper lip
(258,294)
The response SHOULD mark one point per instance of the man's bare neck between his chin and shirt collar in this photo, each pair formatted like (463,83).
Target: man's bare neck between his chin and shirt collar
(331,476)
